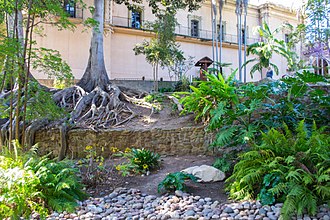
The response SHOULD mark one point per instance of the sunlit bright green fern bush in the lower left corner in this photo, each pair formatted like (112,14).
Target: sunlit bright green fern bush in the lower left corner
(29,183)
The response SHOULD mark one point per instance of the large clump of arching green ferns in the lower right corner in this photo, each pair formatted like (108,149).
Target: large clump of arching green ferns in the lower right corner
(288,167)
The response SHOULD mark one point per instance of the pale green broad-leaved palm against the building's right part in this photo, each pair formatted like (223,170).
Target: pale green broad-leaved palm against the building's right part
(264,50)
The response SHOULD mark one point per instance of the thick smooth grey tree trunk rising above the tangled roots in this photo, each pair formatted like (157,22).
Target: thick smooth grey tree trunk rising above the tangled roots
(95,73)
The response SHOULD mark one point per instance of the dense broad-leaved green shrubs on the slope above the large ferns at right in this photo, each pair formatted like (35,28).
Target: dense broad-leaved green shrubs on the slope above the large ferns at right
(240,114)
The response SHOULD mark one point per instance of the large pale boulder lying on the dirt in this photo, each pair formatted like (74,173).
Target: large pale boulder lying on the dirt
(205,173)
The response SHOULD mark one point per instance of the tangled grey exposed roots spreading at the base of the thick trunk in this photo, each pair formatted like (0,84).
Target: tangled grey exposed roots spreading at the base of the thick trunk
(96,109)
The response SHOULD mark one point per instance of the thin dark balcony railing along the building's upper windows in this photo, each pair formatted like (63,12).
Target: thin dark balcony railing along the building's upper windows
(179,30)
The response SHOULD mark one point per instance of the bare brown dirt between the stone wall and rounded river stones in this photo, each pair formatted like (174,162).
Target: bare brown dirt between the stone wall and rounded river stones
(148,184)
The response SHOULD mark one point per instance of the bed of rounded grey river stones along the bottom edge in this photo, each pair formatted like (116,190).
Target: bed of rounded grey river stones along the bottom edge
(131,204)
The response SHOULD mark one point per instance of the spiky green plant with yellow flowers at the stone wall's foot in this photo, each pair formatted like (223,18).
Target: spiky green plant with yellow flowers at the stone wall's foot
(139,161)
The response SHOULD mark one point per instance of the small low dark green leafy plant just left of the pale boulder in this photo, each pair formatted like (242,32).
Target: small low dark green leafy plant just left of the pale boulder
(175,181)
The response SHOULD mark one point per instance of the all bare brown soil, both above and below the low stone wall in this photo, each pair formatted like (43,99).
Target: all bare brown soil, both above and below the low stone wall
(166,118)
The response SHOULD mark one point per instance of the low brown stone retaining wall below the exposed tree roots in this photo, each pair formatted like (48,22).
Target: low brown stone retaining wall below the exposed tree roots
(180,141)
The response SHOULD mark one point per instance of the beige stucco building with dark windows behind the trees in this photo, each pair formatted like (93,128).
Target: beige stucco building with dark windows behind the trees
(124,29)
